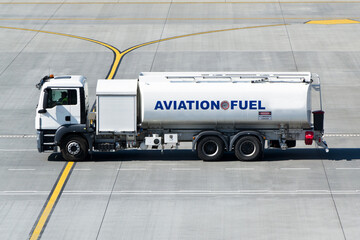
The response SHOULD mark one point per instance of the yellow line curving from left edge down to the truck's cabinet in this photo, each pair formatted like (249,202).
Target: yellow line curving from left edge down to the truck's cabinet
(117,52)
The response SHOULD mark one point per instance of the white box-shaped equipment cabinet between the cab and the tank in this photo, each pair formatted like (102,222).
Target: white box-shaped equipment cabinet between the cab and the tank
(116,106)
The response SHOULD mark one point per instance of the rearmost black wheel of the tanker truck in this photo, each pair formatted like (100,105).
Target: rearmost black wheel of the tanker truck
(248,148)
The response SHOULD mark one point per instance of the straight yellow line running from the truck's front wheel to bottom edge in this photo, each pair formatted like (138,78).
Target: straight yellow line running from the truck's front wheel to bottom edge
(51,202)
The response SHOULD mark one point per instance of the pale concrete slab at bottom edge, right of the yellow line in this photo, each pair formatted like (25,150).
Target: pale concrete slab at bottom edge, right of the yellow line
(146,216)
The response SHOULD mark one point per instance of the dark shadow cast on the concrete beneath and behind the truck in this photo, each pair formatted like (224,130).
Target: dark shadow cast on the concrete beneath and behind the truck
(336,154)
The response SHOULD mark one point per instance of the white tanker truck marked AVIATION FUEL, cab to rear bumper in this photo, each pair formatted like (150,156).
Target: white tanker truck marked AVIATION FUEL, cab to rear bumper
(240,112)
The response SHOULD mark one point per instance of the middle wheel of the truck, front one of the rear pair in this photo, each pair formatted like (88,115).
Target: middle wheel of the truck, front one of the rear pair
(210,148)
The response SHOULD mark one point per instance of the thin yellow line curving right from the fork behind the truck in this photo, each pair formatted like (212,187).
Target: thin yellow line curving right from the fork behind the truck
(192,34)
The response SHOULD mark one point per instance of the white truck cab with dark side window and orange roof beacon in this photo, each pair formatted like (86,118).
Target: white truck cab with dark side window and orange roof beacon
(63,101)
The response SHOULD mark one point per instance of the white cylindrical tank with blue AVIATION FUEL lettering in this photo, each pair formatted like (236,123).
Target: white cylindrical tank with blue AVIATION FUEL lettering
(223,103)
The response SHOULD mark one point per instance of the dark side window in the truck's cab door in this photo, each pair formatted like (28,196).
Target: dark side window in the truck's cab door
(61,97)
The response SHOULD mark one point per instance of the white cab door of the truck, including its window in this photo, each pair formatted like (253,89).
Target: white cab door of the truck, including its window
(61,108)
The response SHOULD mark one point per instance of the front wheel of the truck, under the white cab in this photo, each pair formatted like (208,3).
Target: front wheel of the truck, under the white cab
(74,148)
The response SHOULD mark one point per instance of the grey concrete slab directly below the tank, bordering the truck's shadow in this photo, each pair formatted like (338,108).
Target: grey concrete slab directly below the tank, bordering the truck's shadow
(222,176)
